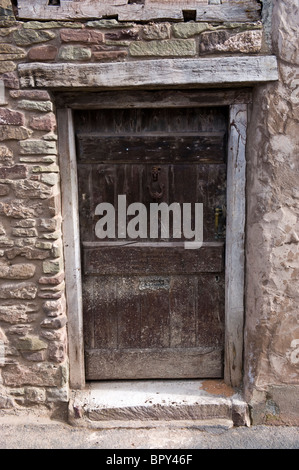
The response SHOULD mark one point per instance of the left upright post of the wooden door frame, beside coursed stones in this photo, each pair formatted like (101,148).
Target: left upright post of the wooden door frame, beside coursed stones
(69,190)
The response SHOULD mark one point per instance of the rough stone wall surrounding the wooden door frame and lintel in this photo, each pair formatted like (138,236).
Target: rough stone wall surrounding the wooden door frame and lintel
(33,314)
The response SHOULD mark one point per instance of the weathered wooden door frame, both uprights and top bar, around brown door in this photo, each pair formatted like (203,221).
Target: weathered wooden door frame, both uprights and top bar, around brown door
(237,100)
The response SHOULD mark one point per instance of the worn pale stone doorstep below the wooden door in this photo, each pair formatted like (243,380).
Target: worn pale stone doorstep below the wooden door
(150,403)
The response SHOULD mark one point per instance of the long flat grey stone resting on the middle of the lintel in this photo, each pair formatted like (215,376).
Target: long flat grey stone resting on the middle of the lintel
(167,48)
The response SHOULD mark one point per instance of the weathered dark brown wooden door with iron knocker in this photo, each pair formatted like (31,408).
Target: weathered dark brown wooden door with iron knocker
(152,309)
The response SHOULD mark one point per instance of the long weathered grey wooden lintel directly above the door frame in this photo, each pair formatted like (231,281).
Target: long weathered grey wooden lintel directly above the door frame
(153,73)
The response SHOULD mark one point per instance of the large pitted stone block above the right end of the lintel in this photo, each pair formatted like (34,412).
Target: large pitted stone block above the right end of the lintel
(222,41)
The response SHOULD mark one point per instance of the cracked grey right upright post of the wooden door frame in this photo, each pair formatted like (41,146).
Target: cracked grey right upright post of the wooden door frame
(235,256)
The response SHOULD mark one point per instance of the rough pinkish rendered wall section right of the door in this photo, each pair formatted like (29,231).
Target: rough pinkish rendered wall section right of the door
(272,320)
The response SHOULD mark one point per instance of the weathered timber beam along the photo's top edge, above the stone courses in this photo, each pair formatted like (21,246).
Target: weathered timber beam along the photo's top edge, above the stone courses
(239,10)
